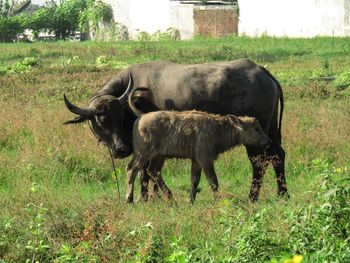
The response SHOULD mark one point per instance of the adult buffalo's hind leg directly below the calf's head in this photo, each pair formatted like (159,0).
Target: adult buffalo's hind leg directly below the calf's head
(259,163)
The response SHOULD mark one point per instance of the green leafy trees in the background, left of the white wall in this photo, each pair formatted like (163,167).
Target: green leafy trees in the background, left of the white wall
(63,18)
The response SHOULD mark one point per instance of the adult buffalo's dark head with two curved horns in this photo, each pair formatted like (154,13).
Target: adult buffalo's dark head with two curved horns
(107,118)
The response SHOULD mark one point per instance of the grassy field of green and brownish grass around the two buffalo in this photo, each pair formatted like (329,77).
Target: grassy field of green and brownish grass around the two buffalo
(58,194)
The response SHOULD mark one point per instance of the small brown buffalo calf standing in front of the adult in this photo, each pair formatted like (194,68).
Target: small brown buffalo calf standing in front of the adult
(195,135)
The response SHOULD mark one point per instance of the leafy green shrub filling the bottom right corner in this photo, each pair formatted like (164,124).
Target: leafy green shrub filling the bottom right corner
(322,231)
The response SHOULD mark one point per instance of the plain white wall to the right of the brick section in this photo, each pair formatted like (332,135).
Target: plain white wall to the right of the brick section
(294,18)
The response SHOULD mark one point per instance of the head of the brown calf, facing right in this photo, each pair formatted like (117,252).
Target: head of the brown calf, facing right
(252,133)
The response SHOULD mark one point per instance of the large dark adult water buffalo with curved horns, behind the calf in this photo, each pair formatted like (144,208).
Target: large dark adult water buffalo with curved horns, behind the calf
(238,87)
